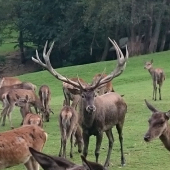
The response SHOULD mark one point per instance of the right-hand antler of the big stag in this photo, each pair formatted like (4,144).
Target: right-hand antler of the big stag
(118,70)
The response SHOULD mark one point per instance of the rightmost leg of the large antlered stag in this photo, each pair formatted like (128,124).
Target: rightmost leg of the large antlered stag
(119,130)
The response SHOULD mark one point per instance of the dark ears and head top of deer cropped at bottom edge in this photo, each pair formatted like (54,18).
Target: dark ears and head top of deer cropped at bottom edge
(48,162)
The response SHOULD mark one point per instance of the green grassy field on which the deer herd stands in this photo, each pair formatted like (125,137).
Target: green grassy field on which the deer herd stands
(135,83)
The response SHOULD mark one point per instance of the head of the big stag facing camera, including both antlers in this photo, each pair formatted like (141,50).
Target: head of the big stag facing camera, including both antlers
(87,92)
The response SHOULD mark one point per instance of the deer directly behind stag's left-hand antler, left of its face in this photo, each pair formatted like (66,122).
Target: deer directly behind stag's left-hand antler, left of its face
(68,91)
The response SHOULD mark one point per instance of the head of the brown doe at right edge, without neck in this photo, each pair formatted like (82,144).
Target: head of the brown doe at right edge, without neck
(158,122)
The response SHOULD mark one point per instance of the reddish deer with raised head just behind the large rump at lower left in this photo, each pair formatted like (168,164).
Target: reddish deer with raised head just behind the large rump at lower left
(28,117)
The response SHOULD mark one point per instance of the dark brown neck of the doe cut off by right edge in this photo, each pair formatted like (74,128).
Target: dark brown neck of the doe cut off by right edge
(165,138)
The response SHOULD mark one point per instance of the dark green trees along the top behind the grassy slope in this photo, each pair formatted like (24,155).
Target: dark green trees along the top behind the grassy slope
(80,27)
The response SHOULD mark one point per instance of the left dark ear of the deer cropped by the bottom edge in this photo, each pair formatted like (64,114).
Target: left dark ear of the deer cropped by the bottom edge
(46,162)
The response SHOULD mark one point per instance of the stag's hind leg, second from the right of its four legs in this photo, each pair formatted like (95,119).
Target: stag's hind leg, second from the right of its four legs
(111,140)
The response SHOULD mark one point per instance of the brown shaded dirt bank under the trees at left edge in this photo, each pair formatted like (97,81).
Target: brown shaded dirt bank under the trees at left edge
(13,66)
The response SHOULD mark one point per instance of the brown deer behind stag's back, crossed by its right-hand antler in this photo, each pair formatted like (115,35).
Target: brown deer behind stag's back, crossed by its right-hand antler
(105,88)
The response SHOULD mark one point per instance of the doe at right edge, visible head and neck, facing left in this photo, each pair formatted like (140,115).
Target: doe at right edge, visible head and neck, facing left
(158,126)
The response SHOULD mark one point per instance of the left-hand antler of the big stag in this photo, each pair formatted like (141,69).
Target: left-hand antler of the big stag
(48,66)
